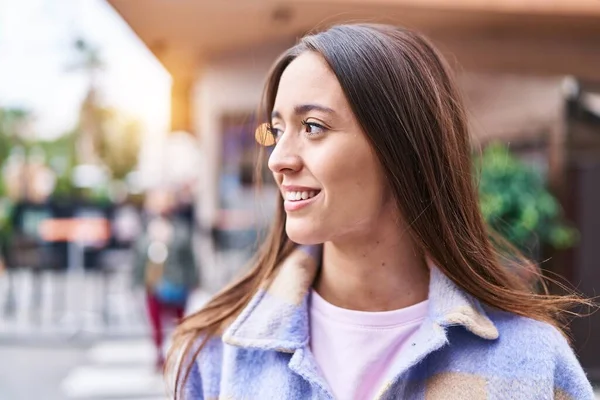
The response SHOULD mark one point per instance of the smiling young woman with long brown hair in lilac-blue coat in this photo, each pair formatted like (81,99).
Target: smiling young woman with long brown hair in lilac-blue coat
(408,297)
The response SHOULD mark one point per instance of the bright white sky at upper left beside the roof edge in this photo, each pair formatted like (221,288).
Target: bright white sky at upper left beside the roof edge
(36,52)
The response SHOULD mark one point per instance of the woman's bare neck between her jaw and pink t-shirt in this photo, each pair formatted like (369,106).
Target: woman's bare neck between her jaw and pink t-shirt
(380,272)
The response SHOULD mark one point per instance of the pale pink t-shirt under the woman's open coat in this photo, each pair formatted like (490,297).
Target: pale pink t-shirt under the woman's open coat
(354,349)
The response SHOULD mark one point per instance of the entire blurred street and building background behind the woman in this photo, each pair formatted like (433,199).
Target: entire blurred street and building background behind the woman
(127,137)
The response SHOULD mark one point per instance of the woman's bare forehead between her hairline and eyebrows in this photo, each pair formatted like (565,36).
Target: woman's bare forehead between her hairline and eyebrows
(308,79)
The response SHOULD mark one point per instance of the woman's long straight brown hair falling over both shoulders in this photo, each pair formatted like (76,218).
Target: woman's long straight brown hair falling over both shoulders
(406,101)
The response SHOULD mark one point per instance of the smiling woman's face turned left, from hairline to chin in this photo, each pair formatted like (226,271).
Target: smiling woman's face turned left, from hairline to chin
(330,179)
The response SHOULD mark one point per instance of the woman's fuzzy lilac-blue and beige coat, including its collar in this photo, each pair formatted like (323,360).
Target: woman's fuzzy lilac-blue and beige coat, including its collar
(463,350)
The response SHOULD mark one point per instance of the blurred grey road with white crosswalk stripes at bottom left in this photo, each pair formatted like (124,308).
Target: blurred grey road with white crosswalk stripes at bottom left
(117,369)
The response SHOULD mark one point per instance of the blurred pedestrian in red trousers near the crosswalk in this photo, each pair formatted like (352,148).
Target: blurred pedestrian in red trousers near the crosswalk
(165,264)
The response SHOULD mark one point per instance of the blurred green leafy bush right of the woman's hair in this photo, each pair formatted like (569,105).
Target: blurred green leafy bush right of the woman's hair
(516,203)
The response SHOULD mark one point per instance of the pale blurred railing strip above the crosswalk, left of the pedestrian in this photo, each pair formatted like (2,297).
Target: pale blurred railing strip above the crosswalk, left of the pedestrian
(54,304)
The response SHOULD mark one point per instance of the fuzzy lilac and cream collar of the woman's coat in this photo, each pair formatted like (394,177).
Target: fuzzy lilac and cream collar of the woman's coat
(277,316)
